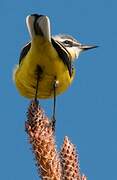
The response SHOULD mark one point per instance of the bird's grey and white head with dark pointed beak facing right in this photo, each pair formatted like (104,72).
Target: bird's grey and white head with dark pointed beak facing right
(73,47)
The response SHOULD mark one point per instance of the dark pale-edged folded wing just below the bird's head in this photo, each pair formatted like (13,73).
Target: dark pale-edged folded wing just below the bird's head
(63,55)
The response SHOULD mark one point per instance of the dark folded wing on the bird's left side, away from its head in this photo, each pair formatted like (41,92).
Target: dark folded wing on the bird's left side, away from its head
(24,51)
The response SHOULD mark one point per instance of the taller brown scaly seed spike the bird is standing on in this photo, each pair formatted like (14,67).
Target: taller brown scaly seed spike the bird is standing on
(42,139)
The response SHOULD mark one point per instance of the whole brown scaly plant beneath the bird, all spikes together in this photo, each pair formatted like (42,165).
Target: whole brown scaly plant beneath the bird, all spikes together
(51,165)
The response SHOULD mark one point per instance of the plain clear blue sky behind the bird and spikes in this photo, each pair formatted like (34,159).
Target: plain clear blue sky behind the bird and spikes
(87,112)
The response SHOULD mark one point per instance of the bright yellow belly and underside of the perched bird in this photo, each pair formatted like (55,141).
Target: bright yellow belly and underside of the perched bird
(44,55)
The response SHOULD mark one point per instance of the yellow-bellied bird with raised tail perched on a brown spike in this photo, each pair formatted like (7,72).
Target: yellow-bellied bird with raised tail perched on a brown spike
(45,67)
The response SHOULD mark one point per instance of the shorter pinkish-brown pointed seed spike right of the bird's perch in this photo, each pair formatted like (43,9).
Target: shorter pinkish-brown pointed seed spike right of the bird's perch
(69,161)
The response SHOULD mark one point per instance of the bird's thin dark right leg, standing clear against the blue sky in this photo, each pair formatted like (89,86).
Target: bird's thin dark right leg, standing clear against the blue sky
(54,104)
